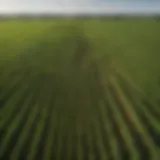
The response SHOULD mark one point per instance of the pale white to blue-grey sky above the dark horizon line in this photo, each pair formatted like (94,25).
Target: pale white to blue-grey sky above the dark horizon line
(80,6)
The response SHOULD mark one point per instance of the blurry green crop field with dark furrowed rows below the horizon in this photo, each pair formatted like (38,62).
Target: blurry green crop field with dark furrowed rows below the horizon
(79,89)
